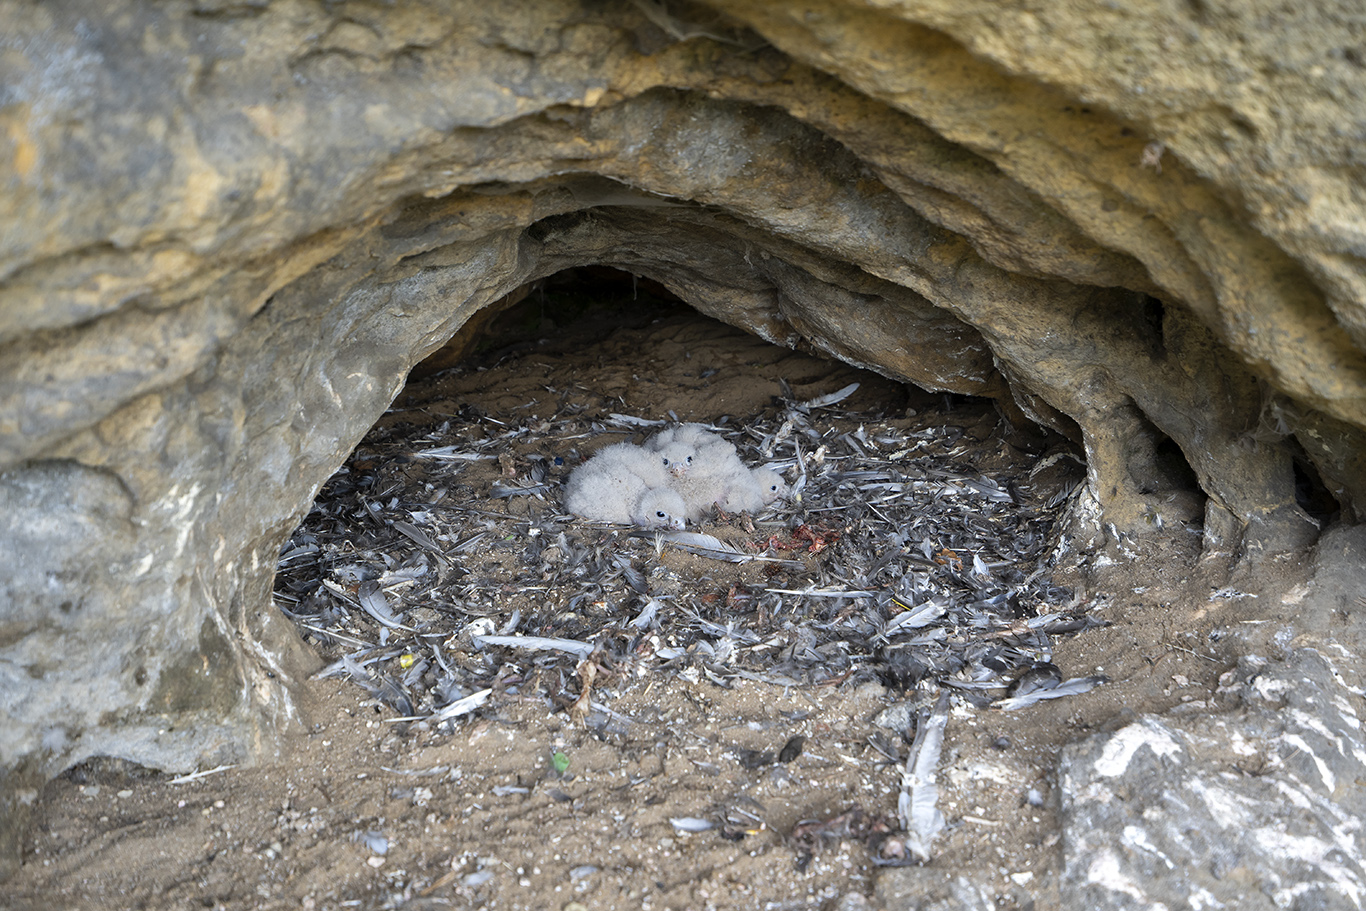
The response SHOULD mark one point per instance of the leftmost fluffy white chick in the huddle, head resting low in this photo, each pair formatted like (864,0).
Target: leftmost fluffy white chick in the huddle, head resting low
(628,486)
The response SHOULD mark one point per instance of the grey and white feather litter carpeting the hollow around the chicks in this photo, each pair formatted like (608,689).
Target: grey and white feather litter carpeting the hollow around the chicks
(898,559)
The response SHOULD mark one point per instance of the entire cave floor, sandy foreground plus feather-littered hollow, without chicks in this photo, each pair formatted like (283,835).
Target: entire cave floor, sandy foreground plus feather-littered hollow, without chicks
(725,738)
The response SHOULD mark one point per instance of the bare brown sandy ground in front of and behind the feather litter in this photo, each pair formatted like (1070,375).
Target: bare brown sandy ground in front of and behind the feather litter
(521,807)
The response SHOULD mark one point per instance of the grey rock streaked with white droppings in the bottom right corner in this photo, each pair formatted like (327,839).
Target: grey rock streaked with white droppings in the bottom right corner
(1260,808)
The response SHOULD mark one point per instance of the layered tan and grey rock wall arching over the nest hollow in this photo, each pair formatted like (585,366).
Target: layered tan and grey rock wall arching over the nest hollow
(230,229)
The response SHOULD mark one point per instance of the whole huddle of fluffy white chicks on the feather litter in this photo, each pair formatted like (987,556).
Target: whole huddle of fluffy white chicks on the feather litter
(681,473)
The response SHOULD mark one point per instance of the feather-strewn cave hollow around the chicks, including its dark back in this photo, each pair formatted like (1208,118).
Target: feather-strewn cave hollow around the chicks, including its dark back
(442,547)
